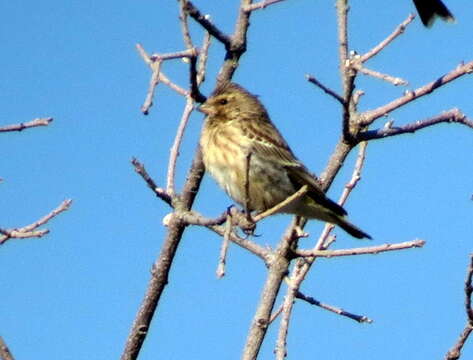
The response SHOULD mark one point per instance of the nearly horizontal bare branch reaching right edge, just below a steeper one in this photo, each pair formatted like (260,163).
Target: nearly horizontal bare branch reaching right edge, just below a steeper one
(451,116)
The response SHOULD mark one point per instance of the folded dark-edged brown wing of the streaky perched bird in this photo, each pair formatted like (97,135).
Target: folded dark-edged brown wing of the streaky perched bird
(268,143)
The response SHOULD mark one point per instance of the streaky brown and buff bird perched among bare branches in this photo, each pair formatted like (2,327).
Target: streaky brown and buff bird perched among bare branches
(251,161)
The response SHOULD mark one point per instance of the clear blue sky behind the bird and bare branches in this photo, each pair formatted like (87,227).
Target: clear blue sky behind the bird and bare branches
(74,293)
